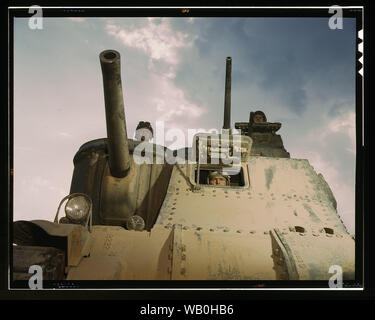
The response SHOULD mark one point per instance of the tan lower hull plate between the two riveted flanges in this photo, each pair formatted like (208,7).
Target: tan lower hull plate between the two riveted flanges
(218,255)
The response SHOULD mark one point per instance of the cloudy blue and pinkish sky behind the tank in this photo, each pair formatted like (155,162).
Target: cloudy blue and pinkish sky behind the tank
(297,70)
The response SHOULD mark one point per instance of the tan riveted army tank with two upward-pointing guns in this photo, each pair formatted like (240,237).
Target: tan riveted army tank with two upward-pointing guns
(235,207)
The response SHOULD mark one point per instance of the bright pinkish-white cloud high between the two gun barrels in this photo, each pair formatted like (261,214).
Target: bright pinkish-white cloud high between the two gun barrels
(162,45)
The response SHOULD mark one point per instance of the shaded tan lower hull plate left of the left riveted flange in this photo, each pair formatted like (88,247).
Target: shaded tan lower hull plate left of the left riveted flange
(126,255)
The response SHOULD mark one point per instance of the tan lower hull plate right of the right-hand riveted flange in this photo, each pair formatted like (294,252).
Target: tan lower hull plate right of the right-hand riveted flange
(309,255)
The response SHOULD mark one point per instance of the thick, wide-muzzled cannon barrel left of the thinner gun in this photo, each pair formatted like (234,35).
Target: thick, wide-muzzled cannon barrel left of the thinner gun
(119,160)
